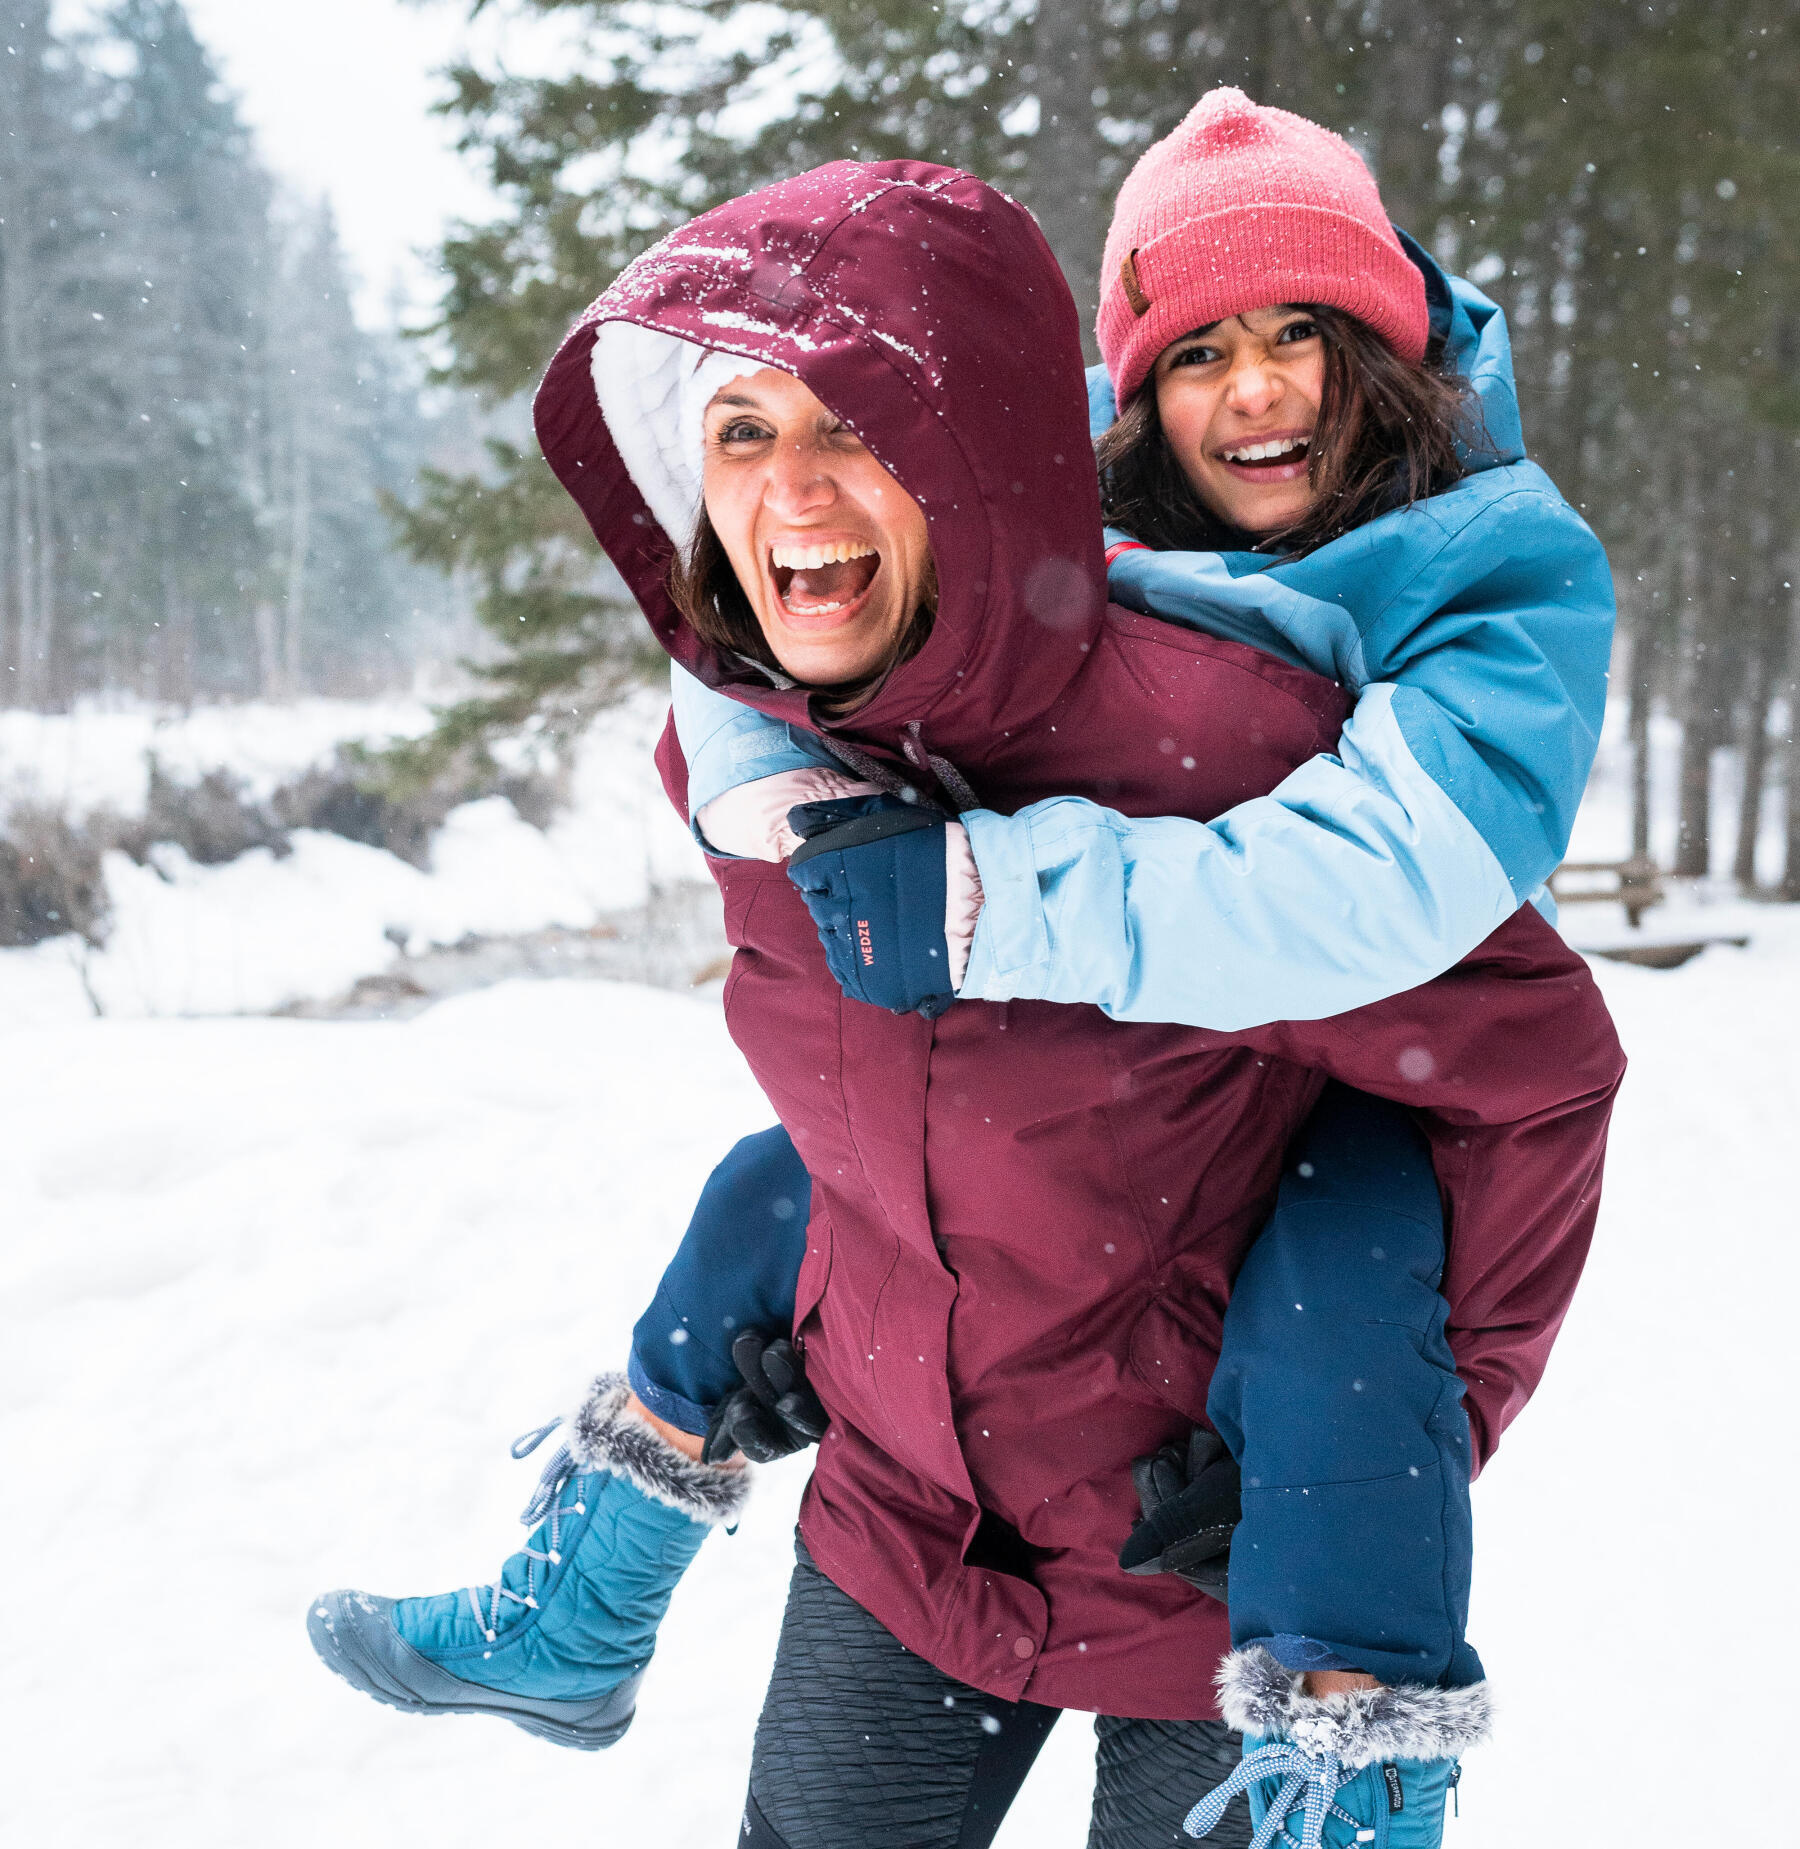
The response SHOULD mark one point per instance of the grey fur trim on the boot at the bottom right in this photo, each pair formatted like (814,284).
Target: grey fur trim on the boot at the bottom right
(1362,1726)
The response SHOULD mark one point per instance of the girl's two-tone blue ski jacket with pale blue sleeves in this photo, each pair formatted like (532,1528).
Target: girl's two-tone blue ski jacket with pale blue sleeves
(1473,631)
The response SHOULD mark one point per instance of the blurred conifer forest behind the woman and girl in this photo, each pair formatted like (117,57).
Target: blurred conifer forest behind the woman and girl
(214,484)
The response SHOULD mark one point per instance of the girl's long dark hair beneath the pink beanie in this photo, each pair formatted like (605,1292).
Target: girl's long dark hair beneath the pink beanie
(1388,435)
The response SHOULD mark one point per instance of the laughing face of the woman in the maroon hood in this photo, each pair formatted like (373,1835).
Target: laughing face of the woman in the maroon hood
(832,552)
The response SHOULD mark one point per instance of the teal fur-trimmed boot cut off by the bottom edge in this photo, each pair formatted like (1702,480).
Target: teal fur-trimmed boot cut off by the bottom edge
(1368,1769)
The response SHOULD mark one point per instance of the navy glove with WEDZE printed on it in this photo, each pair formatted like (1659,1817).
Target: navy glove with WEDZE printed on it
(872,876)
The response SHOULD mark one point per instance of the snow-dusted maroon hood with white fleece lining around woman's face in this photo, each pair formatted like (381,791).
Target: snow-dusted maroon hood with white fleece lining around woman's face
(930,315)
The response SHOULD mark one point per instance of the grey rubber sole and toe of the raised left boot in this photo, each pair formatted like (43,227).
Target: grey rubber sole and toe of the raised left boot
(358,1643)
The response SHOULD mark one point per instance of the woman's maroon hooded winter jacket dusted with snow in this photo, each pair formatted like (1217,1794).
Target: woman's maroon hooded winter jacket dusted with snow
(1028,1218)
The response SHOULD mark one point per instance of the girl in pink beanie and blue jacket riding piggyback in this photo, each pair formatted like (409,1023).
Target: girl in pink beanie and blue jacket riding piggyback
(1320,456)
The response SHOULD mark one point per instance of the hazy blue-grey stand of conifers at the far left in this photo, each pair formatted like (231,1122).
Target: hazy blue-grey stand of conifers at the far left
(197,437)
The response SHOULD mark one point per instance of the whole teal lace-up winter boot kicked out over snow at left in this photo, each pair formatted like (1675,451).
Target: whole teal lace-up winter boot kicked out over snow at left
(558,1645)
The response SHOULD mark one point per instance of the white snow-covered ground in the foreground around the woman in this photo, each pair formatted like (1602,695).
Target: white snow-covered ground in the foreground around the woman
(277,1297)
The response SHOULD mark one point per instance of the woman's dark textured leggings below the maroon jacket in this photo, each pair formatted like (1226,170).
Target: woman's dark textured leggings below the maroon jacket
(863,1743)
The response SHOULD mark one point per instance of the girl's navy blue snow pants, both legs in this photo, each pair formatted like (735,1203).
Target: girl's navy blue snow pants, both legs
(1337,1390)
